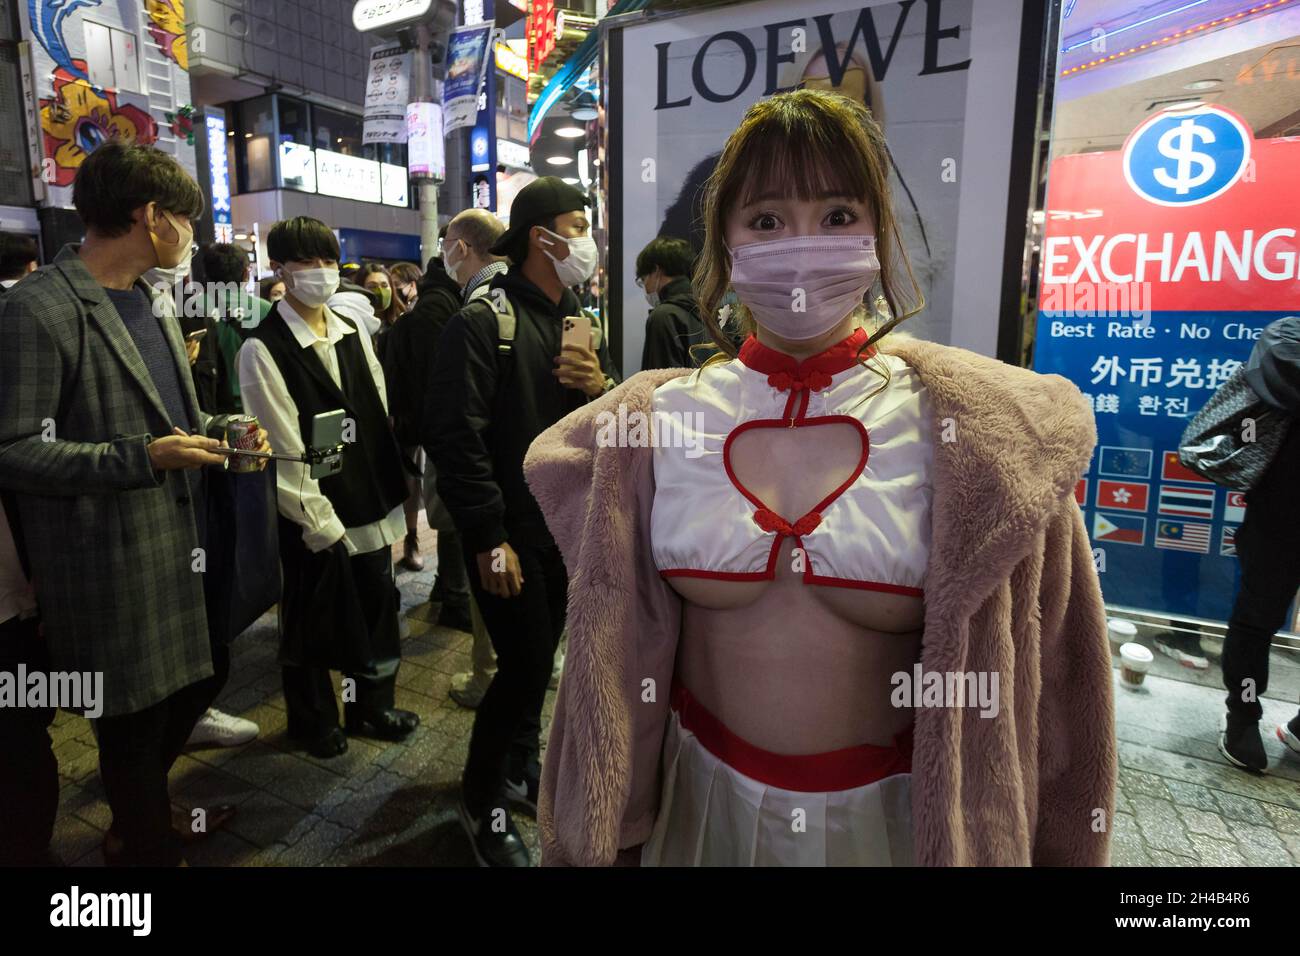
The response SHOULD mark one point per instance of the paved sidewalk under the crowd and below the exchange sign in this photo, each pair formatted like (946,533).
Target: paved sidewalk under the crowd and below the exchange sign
(395,804)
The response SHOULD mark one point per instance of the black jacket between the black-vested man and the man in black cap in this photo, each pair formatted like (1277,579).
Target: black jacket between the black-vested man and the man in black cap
(409,353)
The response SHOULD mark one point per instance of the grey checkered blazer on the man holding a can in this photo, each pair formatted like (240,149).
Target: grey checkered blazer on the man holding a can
(110,542)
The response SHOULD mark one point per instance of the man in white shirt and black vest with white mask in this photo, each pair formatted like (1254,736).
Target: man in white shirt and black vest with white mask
(340,607)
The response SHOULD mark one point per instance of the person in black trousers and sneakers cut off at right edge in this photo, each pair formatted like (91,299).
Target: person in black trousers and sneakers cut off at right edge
(1268,548)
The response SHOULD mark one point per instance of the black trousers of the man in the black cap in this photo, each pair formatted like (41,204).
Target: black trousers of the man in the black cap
(525,631)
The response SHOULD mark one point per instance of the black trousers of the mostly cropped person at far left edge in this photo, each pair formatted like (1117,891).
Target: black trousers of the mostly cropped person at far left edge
(29,773)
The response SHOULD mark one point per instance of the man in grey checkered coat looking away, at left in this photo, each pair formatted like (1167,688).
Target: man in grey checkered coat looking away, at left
(102,447)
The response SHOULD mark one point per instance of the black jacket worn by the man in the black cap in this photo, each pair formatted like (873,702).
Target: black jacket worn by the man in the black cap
(486,408)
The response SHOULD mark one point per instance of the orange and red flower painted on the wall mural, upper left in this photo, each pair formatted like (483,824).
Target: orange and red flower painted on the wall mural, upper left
(79,118)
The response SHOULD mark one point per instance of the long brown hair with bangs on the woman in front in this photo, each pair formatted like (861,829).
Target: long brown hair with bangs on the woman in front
(816,142)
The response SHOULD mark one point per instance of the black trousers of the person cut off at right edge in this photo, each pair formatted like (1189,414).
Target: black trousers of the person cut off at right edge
(1268,547)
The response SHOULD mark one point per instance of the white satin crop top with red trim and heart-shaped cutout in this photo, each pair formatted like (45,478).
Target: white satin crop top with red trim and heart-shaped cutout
(873,533)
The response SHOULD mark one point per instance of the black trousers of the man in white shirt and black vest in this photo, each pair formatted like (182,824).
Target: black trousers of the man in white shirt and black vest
(310,691)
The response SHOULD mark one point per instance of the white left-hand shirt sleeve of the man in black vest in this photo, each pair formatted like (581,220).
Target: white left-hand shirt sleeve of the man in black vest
(298,496)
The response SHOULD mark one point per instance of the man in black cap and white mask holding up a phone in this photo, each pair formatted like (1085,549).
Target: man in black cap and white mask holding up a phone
(489,397)
